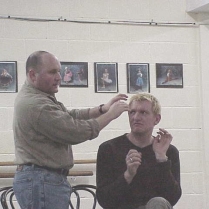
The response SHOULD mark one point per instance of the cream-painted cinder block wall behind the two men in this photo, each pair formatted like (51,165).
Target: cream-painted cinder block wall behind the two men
(122,43)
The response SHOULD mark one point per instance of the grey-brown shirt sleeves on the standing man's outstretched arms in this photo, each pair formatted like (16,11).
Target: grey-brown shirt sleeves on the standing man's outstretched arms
(67,127)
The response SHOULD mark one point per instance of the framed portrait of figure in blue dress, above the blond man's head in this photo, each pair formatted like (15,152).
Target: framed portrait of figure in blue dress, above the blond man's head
(138,78)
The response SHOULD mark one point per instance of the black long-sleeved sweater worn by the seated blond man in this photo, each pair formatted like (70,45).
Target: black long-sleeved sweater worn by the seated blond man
(152,179)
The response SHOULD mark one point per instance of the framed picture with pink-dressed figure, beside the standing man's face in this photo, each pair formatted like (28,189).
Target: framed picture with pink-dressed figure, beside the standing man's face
(74,74)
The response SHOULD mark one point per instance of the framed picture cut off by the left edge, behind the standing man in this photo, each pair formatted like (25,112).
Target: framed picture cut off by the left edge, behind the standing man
(8,76)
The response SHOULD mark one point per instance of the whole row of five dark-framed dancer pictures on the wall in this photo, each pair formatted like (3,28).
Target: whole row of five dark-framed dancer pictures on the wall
(75,74)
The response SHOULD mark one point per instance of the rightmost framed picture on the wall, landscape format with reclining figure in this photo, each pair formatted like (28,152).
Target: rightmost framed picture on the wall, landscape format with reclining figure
(169,75)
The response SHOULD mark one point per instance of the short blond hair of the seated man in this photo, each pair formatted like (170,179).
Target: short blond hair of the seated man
(156,108)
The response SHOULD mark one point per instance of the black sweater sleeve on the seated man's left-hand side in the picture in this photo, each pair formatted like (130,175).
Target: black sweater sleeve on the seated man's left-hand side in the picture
(111,189)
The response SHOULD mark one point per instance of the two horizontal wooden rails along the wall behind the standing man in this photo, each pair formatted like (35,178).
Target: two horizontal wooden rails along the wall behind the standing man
(71,172)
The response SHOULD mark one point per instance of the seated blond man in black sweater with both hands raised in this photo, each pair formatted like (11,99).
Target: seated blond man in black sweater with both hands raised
(139,170)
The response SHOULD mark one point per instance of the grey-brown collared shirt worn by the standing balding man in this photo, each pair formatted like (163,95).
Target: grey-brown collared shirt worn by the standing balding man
(44,129)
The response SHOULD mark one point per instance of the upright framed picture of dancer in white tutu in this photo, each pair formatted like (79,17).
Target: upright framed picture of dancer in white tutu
(106,77)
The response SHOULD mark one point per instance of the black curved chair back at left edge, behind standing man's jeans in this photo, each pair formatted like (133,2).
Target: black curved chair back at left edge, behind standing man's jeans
(7,192)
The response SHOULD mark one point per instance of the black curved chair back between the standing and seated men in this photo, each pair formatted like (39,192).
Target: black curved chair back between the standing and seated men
(83,187)
